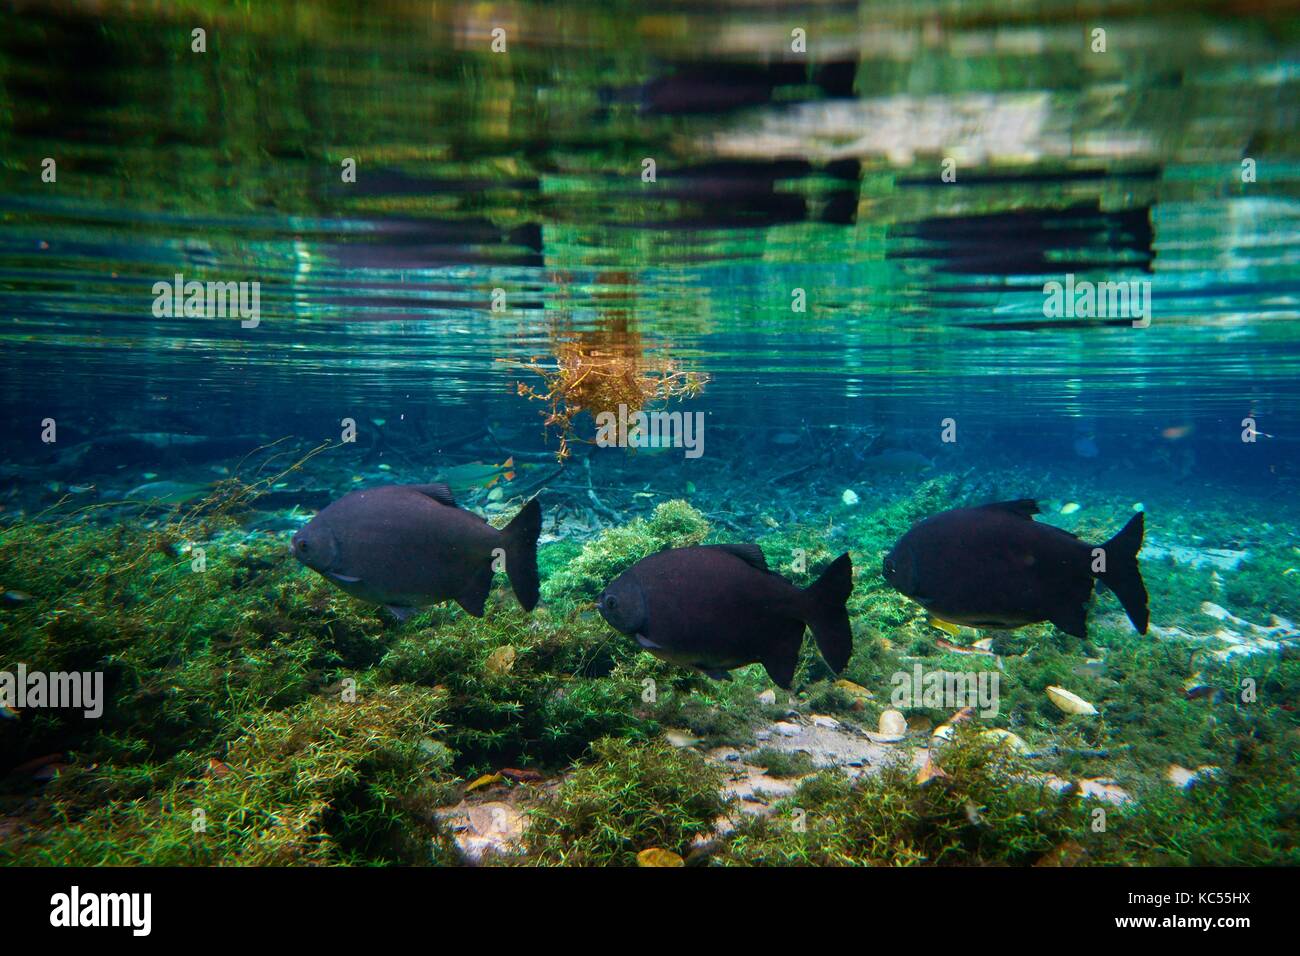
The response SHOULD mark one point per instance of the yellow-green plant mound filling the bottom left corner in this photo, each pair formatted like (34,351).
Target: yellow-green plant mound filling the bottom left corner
(328,781)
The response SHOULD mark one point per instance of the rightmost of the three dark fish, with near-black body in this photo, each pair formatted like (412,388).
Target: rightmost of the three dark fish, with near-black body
(995,566)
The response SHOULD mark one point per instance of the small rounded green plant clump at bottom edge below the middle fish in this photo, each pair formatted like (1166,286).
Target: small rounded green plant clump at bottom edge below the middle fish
(626,798)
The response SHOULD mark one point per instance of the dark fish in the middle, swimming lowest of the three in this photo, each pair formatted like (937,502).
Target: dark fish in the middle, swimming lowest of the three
(717,608)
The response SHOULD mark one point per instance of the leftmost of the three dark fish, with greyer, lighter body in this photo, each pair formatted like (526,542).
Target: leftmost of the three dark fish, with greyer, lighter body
(408,547)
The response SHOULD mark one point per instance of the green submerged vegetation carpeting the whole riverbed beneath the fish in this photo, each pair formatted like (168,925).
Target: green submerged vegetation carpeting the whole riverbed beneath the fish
(255,715)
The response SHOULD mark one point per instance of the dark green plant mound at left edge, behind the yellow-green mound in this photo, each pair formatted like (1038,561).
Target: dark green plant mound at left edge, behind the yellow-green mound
(183,651)
